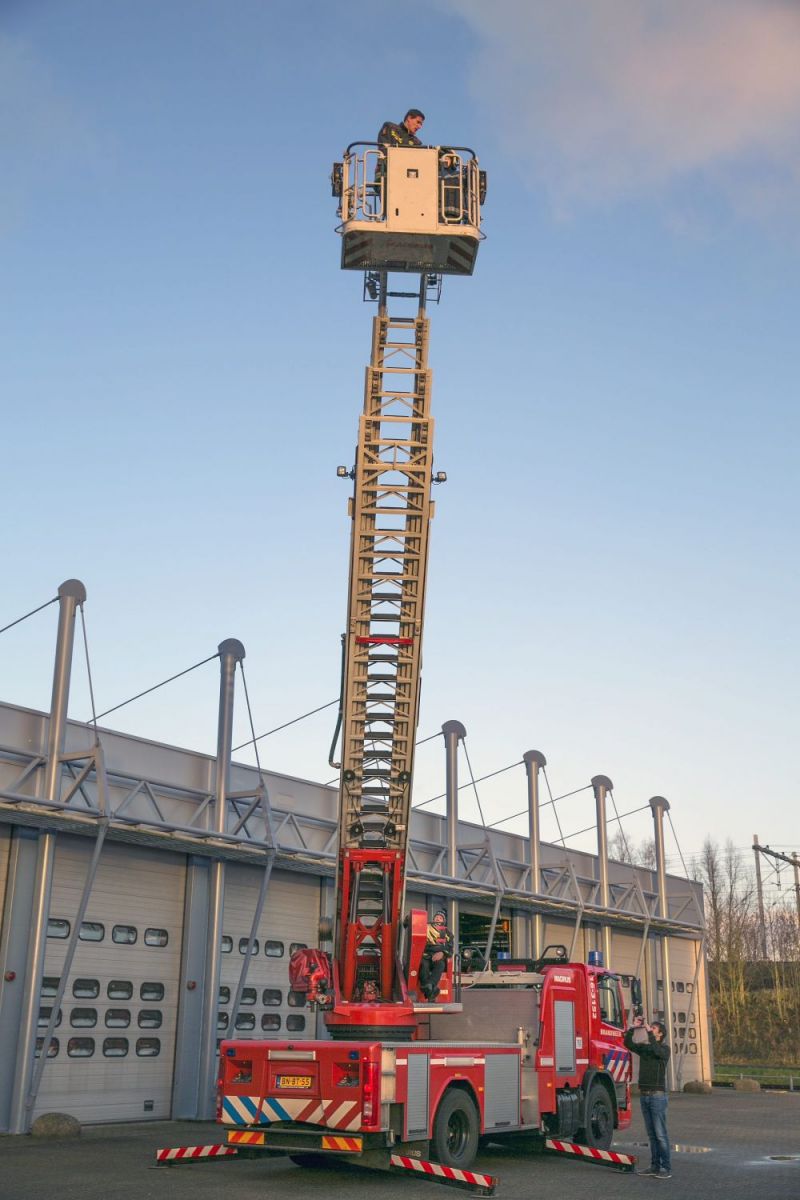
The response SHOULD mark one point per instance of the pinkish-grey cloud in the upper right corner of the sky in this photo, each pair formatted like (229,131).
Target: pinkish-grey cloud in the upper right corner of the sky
(605,99)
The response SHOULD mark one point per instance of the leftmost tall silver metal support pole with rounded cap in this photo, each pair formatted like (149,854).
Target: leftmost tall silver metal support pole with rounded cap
(71,595)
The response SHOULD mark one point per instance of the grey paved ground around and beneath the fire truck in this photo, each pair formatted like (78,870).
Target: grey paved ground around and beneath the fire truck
(727,1145)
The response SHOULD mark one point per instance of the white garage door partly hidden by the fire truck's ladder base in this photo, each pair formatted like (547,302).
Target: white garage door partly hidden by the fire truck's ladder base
(291,920)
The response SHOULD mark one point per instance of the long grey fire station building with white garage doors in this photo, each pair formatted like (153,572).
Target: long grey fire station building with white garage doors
(109,856)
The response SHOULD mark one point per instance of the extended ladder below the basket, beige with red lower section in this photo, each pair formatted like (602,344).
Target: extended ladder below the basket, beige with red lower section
(392,512)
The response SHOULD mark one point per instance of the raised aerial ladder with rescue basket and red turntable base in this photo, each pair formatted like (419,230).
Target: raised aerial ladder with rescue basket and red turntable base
(413,213)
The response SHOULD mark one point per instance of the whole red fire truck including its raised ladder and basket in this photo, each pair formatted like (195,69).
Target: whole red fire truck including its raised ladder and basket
(400,1075)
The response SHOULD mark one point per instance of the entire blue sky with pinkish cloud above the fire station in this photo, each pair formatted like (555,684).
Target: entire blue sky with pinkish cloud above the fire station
(613,567)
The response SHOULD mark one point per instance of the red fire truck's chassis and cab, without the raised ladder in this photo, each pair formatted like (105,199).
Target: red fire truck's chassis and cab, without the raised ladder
(556,1067)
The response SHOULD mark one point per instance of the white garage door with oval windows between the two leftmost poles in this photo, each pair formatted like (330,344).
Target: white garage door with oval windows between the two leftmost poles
(116,1040)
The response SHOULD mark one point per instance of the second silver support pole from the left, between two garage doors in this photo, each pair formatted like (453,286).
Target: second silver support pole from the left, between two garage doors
(231,655)
